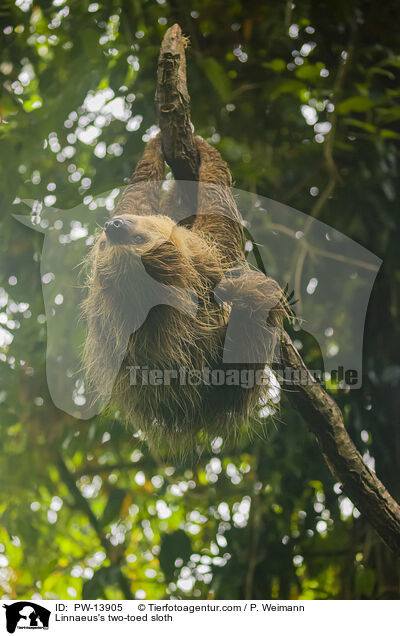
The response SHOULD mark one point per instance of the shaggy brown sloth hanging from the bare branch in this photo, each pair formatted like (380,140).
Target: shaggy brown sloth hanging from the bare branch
(177,320)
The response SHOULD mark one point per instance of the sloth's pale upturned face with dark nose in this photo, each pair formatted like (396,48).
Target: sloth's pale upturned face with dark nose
(133,235)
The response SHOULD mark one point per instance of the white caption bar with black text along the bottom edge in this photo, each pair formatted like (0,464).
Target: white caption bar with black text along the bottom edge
(174,618)
